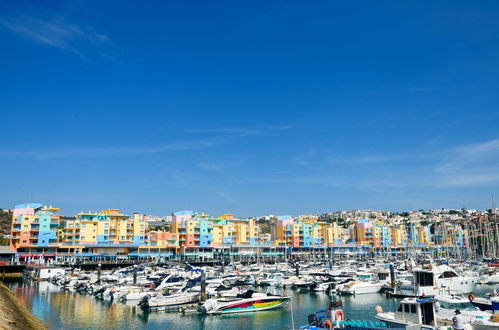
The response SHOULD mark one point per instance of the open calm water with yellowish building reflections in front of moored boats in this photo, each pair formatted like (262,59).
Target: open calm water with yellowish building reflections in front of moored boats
(66,310)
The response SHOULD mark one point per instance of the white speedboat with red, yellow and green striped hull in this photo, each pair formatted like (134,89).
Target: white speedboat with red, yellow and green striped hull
(249,301)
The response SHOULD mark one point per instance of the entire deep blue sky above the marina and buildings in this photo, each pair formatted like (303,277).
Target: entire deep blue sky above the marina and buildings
(250,107)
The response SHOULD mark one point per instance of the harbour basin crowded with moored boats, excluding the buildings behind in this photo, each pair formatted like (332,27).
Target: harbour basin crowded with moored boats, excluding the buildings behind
(263,296)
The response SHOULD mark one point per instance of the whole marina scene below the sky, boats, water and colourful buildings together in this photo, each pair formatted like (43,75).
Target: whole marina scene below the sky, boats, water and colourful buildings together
(378,270)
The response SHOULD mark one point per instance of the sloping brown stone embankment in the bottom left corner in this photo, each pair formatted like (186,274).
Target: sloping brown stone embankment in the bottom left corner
(14,315)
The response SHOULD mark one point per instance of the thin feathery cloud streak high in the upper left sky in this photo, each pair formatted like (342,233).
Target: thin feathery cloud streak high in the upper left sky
(56,32)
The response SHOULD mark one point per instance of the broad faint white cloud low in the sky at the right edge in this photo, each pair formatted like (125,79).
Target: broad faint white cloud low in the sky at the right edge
(462,166)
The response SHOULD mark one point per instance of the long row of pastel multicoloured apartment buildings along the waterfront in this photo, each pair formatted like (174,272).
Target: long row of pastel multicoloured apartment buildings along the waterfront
(38,230)
